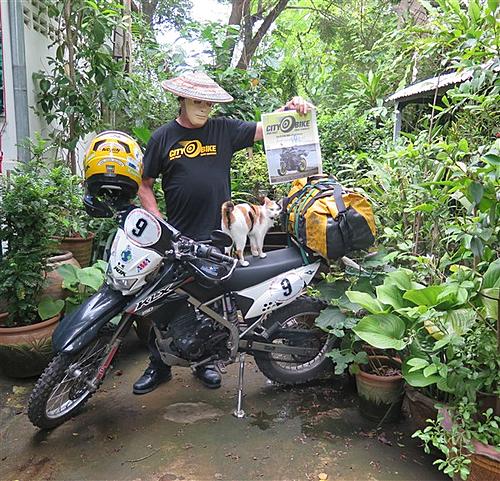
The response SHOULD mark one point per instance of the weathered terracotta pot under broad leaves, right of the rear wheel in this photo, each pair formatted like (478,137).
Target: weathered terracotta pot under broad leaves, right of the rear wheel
(380,397)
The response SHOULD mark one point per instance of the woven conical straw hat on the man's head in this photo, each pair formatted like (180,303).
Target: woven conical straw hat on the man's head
(198,86)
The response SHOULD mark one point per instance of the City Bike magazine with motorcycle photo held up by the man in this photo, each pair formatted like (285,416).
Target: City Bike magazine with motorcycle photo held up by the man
(292,145)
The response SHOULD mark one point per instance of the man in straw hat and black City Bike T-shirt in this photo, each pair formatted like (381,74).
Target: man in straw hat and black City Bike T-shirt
(193,155)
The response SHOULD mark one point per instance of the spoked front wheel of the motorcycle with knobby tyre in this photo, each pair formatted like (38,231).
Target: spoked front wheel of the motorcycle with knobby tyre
(65,385)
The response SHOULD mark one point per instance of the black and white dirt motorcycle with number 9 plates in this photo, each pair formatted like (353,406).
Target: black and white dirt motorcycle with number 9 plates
(260,310)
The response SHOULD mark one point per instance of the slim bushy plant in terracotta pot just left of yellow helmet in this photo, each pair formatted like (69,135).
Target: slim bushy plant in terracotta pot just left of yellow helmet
(72,231)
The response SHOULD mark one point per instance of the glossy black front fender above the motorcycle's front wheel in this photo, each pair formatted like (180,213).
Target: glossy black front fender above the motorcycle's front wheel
(80,327)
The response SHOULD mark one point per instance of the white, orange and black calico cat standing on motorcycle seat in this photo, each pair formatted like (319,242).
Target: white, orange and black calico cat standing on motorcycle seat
(242,220)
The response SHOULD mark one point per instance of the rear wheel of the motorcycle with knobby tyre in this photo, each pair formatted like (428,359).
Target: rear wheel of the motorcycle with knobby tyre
(292,369)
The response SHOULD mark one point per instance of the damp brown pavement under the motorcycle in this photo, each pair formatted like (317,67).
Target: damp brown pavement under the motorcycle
(183,431)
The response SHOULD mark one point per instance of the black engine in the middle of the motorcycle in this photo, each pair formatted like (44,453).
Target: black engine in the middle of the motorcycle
(196,336)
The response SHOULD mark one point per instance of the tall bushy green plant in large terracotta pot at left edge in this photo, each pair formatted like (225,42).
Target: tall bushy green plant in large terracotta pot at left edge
(26,225)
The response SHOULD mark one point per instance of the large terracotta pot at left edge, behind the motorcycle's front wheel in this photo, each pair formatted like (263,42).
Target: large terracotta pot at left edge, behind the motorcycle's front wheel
(25,351)
